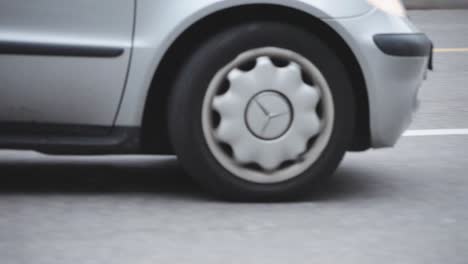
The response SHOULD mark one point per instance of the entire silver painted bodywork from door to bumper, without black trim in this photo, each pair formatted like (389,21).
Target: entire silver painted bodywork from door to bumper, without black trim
(113,91)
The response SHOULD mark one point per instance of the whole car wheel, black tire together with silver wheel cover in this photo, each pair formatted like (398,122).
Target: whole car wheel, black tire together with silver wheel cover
(261,111)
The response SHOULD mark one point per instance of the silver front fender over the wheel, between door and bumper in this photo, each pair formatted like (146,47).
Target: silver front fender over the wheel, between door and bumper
(159,23)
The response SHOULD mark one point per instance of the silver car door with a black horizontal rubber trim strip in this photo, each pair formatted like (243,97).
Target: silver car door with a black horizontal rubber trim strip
(63,62)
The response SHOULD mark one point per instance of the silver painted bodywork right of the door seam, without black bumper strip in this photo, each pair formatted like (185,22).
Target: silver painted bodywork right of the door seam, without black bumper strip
(389,115)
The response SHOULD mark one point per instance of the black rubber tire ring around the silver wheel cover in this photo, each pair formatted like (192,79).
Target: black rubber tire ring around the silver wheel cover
(185,125)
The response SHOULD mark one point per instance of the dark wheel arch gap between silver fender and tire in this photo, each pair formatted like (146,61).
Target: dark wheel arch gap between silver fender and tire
(155,138)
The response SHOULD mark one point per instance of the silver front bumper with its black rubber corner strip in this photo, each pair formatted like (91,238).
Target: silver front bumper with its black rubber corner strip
(394,57)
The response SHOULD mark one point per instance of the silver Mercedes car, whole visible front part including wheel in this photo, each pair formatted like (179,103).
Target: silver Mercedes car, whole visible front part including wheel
(259,99)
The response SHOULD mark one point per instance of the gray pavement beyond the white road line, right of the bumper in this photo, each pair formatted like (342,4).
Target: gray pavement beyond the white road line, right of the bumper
(445,95)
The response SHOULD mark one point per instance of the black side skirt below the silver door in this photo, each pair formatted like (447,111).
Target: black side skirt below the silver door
(70,139)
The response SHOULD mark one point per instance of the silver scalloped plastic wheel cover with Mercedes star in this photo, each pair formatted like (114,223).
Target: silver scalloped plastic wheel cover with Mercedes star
(269,116)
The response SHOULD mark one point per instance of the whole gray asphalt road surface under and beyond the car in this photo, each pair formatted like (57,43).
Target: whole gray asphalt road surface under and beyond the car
(403,205)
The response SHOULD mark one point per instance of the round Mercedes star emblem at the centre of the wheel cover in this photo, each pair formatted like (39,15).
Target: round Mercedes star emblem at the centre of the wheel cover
(269,115)
